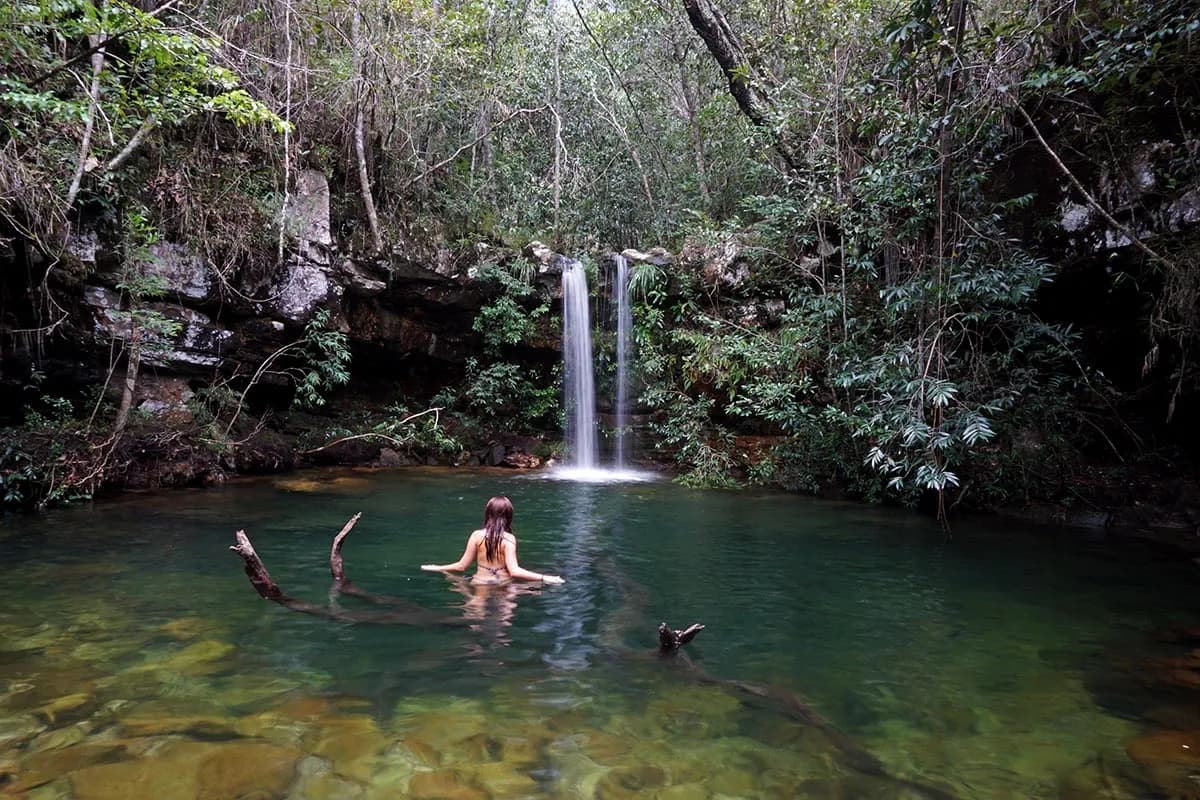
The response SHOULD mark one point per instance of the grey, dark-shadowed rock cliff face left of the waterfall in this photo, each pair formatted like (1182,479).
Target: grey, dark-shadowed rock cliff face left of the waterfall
(405,316)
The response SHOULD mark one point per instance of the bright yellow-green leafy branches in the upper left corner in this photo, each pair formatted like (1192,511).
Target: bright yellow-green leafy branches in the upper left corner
(154,75)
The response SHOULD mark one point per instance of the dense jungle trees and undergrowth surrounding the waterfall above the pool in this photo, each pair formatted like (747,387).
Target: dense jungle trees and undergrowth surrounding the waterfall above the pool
(941,250)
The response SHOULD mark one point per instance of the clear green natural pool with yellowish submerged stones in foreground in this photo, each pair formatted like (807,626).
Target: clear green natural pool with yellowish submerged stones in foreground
(139,663)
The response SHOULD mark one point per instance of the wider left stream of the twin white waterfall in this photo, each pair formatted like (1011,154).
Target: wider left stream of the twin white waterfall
(579,388)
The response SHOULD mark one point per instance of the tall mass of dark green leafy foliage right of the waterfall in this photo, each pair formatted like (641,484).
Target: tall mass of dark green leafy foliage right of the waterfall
(908,338)
